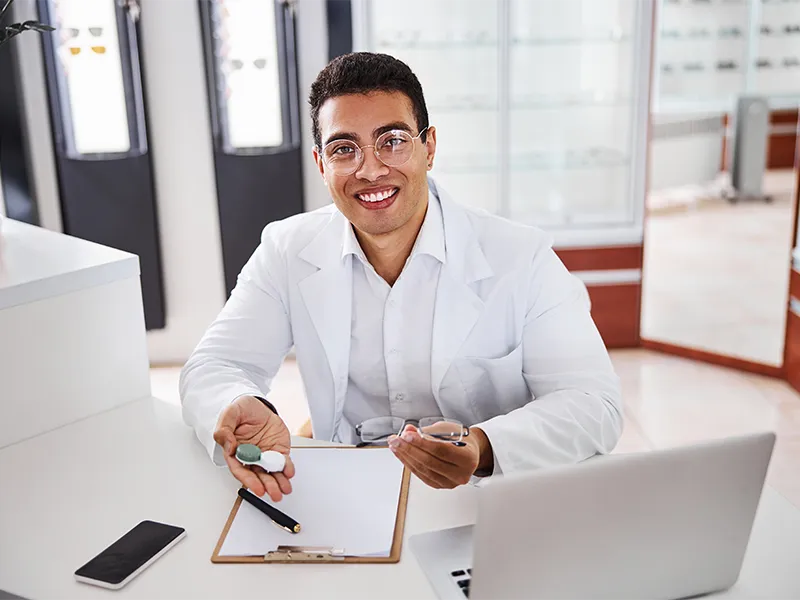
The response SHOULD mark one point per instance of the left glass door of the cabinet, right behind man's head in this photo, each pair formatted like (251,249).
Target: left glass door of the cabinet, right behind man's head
(453,48)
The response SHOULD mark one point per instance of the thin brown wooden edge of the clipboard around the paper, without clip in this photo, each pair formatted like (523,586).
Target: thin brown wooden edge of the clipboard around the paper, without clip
(397,541)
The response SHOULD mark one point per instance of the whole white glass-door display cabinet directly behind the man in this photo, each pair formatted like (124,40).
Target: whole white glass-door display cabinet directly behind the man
(541,107)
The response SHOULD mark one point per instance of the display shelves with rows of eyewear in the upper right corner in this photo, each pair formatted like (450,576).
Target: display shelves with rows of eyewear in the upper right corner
(709,52)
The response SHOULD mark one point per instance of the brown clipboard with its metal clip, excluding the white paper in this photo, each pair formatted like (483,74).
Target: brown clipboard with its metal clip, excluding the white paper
(313,554)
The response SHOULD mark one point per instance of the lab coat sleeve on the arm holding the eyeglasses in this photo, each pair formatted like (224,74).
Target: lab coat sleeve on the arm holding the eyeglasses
(576,407)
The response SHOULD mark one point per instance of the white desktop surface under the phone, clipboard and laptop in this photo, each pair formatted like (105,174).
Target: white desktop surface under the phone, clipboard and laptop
(67,494)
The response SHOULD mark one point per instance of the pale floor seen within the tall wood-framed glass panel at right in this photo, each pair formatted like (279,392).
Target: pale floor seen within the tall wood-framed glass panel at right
(716,275)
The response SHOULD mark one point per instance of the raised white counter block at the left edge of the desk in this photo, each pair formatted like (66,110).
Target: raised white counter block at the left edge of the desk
(71,327)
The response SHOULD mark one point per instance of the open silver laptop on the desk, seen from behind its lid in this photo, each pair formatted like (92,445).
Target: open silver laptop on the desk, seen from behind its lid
(658,525)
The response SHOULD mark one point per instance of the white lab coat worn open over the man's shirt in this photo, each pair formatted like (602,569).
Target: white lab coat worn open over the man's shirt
(514,348)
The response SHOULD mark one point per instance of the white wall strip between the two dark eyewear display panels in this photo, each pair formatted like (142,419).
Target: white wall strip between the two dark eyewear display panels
(183,168)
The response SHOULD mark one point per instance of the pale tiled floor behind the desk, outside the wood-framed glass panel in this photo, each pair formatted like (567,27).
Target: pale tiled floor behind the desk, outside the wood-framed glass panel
(668,402)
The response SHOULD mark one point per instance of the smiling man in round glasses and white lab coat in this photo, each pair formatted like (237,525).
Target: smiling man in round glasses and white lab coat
(401,303)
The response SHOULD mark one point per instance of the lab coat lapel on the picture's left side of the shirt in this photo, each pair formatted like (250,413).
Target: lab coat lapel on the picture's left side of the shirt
(328,296)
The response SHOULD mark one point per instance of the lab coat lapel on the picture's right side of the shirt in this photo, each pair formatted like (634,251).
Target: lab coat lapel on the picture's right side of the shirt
(458,306)
